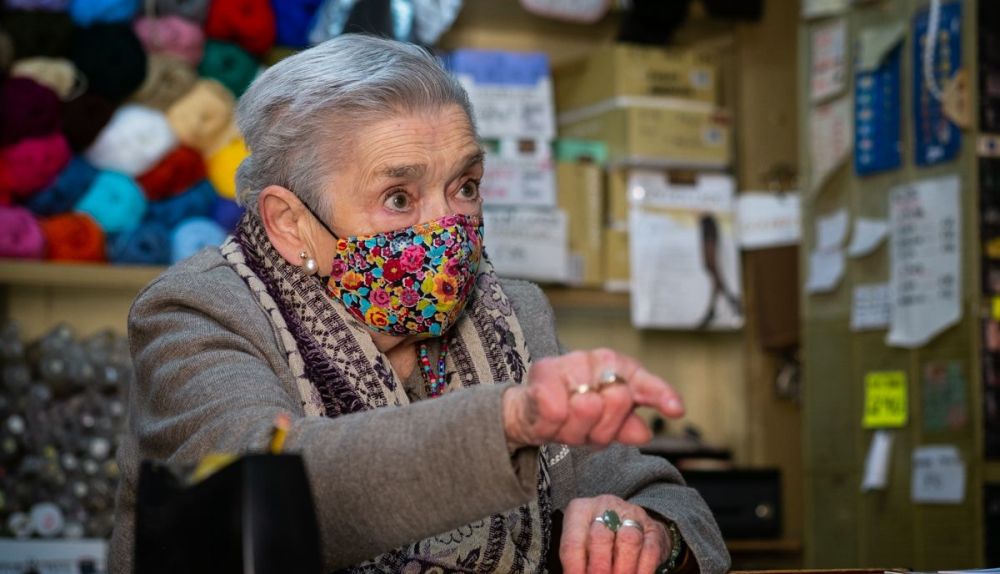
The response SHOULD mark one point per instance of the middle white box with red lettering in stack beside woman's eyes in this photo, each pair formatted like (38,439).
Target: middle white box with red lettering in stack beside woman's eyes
(519,172)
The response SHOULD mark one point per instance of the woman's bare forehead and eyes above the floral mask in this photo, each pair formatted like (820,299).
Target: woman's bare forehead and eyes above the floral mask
(405,170)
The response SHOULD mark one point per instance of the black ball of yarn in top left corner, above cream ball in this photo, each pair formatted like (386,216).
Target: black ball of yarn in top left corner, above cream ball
(39,33)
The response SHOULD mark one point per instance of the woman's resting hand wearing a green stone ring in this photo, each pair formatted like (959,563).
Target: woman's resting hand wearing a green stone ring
(639,545)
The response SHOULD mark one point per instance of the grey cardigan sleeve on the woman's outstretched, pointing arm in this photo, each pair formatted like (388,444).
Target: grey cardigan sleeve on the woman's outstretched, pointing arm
(207,380)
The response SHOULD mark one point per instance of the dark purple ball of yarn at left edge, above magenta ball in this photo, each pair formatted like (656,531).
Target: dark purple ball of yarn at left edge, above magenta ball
(27,109)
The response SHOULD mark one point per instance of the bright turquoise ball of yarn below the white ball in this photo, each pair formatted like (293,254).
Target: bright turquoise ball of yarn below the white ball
(115,202)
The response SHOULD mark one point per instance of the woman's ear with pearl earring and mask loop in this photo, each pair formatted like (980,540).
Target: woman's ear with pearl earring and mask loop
(284,219)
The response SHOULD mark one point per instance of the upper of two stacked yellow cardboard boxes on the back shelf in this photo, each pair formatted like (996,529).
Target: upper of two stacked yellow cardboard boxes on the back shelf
(631,70)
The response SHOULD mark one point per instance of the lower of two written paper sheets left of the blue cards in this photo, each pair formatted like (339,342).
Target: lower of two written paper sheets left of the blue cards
(831,138)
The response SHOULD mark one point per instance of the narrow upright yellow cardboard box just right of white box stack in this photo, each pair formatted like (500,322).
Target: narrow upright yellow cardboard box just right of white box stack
(581,196)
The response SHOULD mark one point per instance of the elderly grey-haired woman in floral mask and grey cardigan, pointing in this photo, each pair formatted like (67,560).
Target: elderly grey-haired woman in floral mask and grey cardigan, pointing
(440,425)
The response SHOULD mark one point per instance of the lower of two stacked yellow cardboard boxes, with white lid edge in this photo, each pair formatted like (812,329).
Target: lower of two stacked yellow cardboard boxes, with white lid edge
(654,132)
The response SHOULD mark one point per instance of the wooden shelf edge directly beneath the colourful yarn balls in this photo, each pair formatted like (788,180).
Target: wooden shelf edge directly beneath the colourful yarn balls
(88,275)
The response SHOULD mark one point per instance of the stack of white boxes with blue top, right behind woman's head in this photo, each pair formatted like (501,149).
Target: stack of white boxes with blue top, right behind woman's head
(511,95)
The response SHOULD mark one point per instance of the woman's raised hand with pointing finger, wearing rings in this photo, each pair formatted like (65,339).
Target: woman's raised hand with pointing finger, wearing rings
(565,401)
